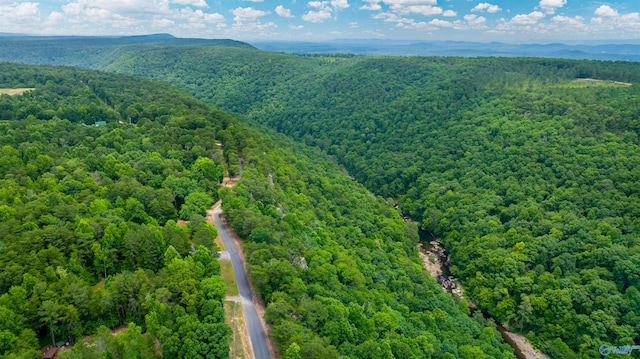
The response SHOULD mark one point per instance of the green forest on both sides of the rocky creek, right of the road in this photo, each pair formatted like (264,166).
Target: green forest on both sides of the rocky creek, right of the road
(526,169)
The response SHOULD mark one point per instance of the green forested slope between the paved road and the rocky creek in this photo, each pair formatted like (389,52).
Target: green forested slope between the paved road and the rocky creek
(339,269)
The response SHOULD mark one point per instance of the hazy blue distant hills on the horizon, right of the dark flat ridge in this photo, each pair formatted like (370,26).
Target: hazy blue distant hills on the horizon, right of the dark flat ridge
(594,51)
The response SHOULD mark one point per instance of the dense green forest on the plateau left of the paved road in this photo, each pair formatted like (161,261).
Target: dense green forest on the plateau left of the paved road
(88,234)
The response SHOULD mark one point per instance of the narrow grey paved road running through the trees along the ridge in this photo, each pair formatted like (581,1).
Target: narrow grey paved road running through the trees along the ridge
(256,331)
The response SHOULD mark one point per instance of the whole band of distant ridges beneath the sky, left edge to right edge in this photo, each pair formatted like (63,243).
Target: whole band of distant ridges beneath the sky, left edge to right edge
(624,50)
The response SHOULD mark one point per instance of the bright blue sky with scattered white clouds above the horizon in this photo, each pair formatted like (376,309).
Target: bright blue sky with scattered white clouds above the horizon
(492,20)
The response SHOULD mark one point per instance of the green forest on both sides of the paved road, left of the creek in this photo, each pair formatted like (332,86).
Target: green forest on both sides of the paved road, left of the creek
(336,265)
